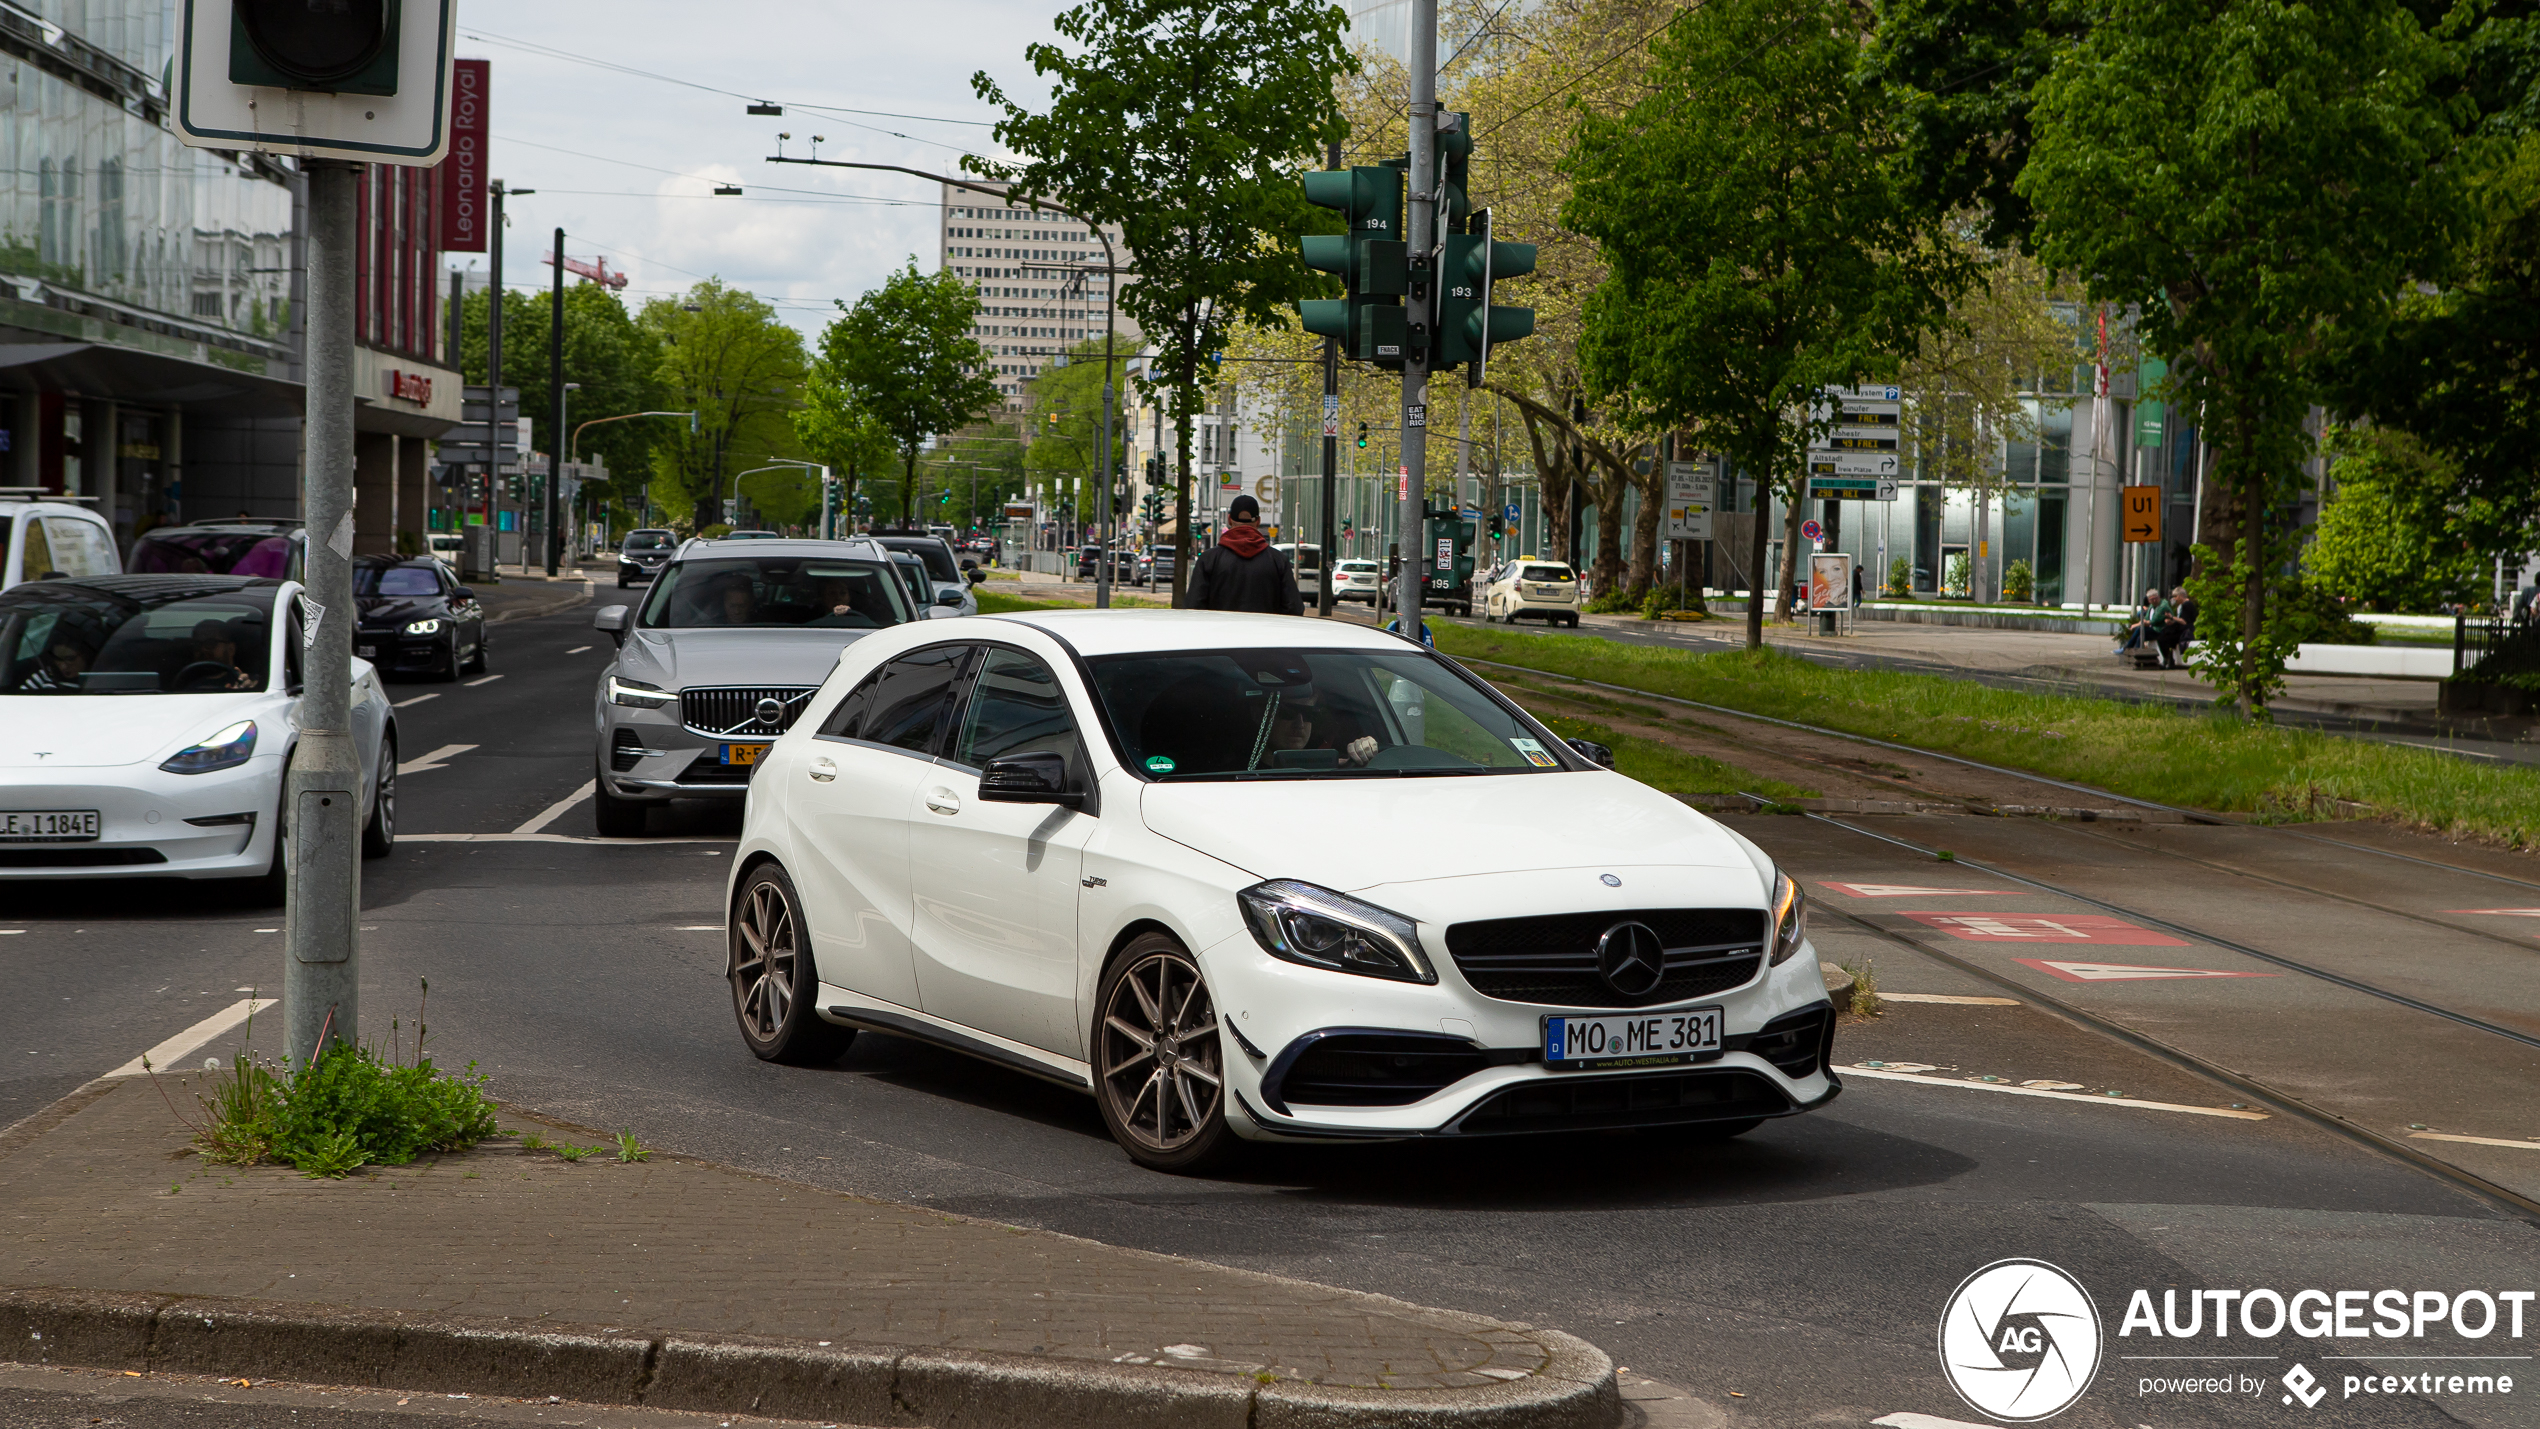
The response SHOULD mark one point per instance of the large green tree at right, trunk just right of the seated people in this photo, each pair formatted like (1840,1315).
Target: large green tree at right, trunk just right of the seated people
(2257,176)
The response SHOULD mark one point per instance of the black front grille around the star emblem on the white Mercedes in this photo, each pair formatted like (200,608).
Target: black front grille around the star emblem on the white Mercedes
(1553,958)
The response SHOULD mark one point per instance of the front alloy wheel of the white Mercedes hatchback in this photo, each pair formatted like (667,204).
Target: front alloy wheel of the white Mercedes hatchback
(1160,1060)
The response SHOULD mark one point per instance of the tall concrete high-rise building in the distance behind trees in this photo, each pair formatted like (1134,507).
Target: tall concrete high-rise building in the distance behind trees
(1040,283)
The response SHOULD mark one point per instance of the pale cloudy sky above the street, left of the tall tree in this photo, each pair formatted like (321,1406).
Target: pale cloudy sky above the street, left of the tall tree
(644,154)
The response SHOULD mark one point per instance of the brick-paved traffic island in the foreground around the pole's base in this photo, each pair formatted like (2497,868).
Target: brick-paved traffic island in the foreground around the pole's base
(110,1199)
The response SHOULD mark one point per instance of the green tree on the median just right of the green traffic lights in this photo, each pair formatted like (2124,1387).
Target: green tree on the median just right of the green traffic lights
(1789,255)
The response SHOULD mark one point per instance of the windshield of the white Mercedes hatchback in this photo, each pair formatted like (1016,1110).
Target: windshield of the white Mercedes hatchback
(1302,714)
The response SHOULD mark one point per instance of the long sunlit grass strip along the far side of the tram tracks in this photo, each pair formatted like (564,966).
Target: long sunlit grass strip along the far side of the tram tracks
(2211,763)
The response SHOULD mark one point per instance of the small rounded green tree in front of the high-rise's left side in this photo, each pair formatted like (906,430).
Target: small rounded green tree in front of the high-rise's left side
(903,359)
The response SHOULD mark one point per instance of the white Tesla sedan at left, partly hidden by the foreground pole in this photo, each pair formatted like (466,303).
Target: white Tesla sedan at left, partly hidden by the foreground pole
(146,725)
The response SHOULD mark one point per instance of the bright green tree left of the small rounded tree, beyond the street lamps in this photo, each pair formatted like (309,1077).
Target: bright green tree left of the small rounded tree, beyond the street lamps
(728,357)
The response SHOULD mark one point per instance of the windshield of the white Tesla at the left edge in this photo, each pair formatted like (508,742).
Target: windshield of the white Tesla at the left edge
(77,641)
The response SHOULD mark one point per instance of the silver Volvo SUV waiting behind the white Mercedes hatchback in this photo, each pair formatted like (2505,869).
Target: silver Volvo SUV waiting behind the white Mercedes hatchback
(720,659)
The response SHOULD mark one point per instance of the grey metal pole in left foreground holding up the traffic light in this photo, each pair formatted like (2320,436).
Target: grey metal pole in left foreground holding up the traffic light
(321,819)
